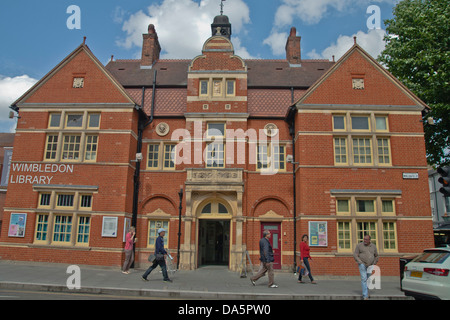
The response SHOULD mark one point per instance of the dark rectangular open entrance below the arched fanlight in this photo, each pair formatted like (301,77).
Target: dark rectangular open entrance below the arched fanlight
(214,242)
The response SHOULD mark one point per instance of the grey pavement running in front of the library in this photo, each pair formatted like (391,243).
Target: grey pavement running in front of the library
(204,283)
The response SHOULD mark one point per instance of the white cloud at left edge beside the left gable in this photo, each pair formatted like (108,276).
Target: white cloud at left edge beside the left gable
(10,90)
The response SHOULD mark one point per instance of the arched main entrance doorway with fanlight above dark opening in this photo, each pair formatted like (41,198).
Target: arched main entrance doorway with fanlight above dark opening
(214,234)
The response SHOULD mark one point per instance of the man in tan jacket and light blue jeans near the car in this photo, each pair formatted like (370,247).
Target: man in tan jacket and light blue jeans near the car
(365,254)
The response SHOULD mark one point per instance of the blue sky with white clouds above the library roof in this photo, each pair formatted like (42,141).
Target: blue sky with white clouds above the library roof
(35,35)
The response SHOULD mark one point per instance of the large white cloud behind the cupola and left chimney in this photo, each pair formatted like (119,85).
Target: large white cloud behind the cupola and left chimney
(182,25)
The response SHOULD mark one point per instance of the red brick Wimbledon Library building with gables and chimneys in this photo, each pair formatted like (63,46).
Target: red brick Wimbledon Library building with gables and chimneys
(332,150)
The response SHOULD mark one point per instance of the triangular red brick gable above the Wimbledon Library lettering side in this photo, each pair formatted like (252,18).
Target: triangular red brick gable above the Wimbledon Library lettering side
(58,85)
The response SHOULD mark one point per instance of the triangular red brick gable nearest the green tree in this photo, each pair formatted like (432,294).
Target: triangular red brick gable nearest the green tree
(374,85)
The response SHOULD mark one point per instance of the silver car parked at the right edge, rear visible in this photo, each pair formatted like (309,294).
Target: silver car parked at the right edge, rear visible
(427,275)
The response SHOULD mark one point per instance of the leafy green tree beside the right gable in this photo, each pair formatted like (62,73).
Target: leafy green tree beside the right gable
(417,53)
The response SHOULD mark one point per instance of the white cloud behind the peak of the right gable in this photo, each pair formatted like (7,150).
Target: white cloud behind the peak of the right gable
(372,42)
